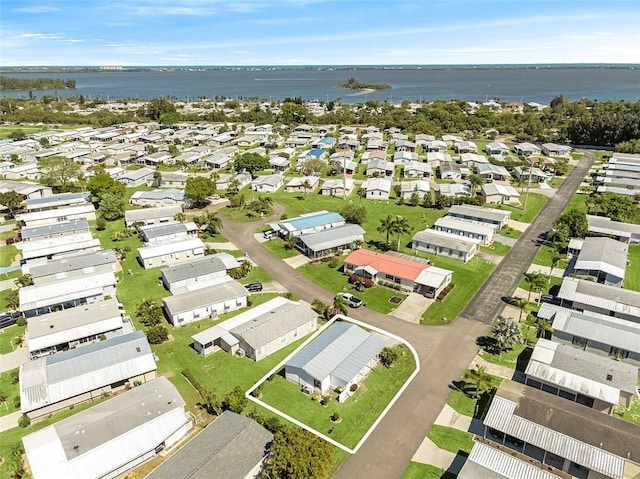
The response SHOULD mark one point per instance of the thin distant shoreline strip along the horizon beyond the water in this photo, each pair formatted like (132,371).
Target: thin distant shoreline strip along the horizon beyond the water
(200,68)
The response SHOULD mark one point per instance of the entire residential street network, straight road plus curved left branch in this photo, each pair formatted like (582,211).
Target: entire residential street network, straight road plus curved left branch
(445,352)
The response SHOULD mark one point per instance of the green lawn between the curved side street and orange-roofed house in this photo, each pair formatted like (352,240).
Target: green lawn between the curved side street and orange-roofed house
(377,298)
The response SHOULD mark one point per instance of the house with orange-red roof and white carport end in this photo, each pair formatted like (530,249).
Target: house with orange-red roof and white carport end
(413,275)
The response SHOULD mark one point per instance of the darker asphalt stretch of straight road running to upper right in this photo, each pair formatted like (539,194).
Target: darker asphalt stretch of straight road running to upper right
(487,303)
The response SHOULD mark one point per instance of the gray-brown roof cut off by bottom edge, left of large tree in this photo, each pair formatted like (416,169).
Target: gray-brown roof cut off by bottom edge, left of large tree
(228,448)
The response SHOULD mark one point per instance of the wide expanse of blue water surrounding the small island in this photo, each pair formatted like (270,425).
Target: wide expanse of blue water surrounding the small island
(508,83)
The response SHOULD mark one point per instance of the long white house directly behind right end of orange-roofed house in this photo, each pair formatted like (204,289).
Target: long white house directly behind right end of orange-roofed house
(443,243)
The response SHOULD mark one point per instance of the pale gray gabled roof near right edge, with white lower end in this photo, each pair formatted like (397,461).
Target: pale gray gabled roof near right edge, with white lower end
(603,254)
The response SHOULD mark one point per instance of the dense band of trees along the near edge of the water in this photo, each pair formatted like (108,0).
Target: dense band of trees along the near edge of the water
(581,122)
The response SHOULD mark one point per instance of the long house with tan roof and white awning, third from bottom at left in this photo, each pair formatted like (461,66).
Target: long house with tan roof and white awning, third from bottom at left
(59,331)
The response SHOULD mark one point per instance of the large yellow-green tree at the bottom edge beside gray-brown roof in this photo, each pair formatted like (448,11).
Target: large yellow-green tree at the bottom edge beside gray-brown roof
(299,454)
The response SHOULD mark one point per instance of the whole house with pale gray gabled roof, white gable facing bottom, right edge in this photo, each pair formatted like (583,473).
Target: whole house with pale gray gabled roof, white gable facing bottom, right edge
(603,259)
